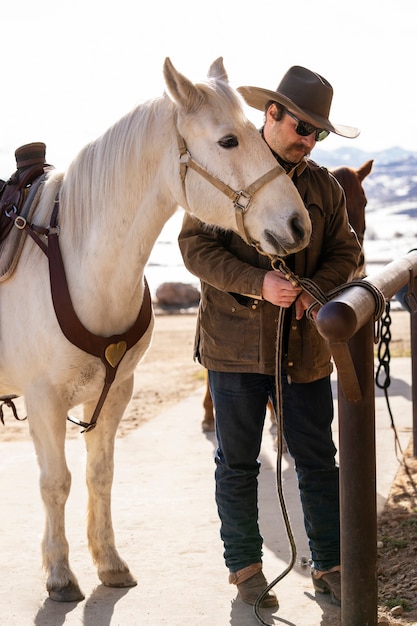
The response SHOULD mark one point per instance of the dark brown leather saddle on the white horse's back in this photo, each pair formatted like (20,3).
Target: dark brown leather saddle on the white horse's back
(17,203)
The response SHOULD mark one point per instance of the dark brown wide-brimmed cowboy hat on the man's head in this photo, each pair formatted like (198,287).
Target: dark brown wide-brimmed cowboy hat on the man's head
(307,94)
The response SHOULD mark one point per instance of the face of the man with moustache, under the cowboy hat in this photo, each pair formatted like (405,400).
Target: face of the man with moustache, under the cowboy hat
(281,136)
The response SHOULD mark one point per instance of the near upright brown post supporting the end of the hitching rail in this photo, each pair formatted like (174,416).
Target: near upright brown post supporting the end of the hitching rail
(357,454)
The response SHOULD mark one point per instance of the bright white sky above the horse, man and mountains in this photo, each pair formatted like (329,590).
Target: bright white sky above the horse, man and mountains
(71,68)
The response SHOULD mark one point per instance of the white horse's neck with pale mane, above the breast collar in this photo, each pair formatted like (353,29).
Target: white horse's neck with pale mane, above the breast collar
(115,199)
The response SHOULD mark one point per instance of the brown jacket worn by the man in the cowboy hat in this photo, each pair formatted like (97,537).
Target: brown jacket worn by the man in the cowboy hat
(237,332)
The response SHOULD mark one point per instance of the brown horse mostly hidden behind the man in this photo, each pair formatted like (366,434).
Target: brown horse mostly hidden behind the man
(351,180)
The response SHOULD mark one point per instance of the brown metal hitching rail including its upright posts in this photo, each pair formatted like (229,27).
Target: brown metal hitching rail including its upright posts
(347,324)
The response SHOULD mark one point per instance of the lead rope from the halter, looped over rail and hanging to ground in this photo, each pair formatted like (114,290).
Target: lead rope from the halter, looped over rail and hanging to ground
(319,299)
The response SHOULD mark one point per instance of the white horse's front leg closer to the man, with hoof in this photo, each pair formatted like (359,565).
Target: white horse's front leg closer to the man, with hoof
(112,570)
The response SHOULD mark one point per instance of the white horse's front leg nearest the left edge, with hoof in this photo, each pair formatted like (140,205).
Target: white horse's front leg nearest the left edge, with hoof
(47,423)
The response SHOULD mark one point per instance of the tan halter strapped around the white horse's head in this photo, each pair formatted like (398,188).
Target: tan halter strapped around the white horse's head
(241,199)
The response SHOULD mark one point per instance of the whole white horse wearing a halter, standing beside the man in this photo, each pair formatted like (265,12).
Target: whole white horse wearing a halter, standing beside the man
(113,202)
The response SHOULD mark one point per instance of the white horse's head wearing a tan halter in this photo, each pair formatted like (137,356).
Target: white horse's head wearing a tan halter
(230,178)
